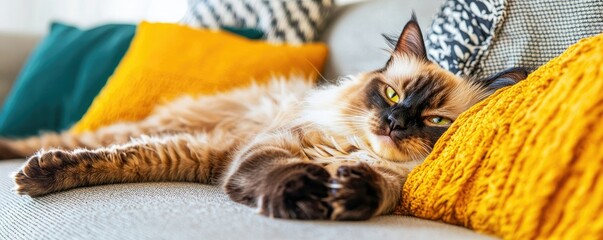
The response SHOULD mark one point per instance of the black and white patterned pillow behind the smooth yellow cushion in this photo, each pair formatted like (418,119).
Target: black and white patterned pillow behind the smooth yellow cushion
(282,21)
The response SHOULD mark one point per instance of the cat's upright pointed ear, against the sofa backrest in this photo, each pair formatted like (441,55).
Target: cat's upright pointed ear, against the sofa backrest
(410,42)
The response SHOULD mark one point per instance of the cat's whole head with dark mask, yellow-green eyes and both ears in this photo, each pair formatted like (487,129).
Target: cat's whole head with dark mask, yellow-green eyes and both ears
(402,109)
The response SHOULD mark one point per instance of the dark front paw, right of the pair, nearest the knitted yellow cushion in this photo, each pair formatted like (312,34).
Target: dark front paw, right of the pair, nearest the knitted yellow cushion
(355,193)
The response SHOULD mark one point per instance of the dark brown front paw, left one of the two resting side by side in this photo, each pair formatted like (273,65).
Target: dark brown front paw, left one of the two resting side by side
(296,192)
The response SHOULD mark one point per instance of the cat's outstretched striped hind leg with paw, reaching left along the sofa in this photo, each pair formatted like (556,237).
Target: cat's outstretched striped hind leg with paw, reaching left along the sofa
(192,158)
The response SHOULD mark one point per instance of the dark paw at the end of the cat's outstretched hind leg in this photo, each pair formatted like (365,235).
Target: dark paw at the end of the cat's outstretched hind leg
(39,174)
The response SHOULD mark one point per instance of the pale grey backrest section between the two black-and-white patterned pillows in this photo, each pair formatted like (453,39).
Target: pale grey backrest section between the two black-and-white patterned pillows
(354,32)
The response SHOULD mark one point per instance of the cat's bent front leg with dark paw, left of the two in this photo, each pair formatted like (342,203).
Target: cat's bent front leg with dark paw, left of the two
(273,175)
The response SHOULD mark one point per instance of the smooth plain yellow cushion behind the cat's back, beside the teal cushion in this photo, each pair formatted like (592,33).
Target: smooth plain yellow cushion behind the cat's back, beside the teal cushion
(168,60)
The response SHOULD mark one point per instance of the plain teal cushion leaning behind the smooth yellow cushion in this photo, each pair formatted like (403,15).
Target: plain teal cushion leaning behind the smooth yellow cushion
(62,77)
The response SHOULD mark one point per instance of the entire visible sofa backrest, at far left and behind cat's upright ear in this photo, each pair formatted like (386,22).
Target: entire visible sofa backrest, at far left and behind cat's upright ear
(353,34)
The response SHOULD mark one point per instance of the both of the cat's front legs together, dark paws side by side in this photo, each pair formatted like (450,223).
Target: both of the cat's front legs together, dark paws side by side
(273,175)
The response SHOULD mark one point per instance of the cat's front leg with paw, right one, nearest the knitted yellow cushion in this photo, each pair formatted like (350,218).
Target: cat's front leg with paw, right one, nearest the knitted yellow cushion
(361,191)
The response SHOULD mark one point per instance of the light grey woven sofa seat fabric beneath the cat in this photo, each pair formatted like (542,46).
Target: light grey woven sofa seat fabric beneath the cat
(180,211)
